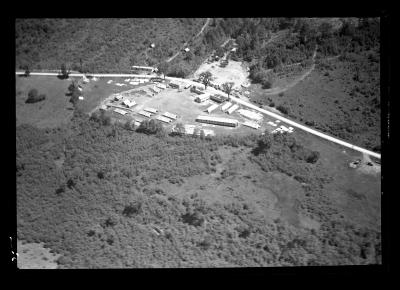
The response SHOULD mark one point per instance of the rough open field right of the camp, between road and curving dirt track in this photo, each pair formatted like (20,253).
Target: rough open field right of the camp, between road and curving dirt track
(331,101)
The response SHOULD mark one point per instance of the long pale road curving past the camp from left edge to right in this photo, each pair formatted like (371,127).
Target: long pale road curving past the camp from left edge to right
(239,101)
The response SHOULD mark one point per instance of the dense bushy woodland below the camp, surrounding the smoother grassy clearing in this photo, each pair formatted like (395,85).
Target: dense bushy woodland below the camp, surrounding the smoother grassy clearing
(95,198)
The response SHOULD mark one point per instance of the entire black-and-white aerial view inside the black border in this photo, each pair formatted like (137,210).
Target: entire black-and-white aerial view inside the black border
(198,142)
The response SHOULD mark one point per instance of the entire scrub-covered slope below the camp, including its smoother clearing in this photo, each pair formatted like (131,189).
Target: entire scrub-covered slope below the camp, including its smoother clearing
(162,201)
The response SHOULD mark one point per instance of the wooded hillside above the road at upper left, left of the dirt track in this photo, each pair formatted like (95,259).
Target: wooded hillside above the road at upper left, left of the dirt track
(103,45)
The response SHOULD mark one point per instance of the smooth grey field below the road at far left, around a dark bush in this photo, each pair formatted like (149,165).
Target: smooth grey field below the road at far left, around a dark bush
(51,112)
